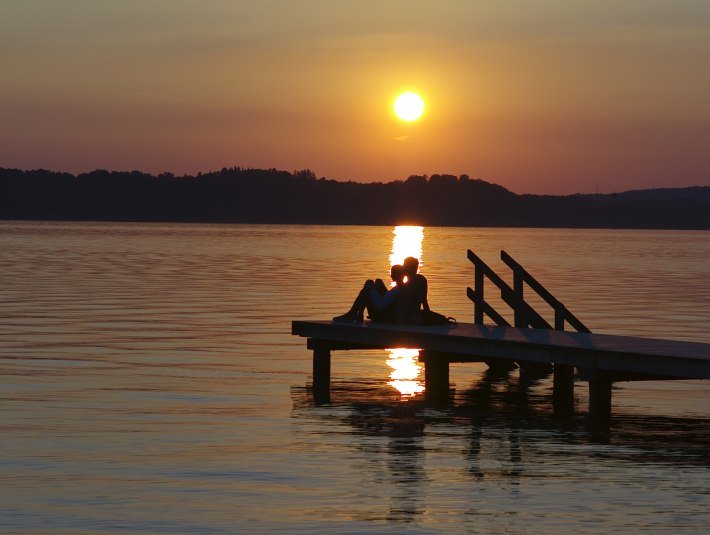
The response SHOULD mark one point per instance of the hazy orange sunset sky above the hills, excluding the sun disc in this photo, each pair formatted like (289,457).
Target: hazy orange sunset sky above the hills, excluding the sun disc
(547,96)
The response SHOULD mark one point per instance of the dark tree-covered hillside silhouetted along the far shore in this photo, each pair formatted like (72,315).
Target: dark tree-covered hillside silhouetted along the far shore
(236,195)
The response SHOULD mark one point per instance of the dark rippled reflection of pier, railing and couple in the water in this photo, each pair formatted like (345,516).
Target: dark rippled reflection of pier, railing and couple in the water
(497,430)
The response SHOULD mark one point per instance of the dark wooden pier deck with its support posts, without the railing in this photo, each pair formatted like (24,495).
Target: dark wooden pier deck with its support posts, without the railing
(601,359)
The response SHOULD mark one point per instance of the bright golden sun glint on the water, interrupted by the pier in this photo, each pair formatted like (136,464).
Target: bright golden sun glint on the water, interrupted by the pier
(406,370)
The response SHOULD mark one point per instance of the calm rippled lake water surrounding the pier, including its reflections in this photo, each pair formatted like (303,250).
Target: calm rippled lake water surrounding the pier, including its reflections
(150,384)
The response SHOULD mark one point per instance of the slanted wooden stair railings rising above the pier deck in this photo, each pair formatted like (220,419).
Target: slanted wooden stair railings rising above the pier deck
(524,314)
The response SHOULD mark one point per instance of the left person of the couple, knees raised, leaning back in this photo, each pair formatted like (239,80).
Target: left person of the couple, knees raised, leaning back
(374,296)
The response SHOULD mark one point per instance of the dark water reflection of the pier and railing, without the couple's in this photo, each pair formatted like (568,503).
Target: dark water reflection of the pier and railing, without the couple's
(505,420)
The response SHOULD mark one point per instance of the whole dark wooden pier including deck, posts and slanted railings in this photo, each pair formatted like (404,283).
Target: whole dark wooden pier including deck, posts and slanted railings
(600,359)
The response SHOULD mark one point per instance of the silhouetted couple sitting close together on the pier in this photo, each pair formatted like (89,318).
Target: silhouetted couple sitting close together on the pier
(403,303)
